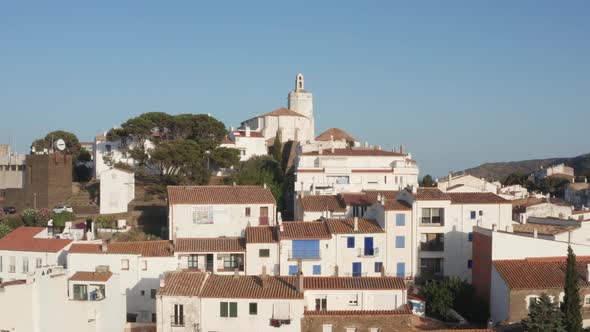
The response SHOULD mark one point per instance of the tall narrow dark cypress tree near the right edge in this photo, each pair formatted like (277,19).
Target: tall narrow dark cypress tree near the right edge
(571,306)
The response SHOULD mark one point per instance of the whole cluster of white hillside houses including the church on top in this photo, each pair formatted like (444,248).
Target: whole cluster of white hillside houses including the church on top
(364,237)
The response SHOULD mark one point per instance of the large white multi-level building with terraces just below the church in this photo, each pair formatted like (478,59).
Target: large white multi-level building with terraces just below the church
(335,171)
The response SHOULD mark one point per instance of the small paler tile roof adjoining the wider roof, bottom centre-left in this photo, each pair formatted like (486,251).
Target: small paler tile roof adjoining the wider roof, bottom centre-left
(182,283)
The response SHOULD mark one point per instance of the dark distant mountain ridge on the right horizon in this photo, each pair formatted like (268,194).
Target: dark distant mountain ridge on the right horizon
(499,171)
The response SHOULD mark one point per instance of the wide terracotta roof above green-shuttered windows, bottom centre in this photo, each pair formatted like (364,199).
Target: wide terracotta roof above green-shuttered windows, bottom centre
(250,287)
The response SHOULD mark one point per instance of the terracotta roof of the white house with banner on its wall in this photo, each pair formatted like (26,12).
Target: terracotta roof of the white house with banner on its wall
(219,195)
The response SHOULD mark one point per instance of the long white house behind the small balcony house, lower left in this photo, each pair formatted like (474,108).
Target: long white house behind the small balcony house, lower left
(140,265)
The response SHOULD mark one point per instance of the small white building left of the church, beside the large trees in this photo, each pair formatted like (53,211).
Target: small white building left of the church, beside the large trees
(250,143)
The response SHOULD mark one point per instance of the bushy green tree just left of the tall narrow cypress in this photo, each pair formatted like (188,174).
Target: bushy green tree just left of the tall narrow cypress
(544,316)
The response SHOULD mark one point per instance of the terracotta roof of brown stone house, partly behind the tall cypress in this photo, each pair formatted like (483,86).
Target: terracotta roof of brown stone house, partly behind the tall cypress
(544,273)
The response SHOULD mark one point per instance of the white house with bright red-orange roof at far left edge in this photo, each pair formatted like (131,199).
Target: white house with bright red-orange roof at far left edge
(27,249)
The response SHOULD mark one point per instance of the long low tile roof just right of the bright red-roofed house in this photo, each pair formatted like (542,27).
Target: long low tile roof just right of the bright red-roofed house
(144,248)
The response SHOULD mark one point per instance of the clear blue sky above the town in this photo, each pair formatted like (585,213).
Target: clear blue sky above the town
(458,83)
